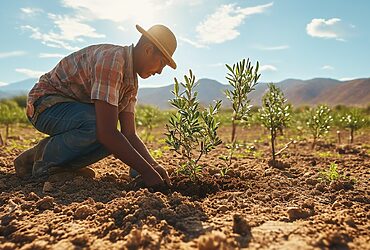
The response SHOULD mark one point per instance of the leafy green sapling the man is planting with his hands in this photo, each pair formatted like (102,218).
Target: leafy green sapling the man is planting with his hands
(191,132)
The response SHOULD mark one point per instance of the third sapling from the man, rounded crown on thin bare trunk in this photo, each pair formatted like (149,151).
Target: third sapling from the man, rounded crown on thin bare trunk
(275,113)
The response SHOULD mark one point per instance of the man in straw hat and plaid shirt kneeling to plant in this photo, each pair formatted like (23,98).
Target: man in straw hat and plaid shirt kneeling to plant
(81,100)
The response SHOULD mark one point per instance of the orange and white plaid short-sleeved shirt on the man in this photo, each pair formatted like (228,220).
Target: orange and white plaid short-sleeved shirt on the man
(98,72)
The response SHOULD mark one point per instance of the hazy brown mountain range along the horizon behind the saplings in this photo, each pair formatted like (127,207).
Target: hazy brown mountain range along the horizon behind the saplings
(354,92)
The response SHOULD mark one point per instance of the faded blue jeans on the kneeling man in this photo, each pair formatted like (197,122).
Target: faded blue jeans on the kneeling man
(73,143)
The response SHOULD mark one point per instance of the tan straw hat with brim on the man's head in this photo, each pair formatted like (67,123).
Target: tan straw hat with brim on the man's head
(164,39)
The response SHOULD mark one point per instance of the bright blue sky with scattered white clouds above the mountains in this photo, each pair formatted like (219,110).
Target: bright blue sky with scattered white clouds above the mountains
(290,38)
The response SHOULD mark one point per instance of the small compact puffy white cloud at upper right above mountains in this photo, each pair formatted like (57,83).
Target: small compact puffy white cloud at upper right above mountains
(332,28)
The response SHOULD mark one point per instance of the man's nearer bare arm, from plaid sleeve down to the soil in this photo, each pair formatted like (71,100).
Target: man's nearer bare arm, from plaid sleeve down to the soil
(117,143)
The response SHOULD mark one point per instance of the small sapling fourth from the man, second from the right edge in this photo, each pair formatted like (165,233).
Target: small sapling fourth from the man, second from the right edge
(319,122)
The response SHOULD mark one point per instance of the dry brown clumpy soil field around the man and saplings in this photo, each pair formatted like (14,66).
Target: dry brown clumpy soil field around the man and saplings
(255,205)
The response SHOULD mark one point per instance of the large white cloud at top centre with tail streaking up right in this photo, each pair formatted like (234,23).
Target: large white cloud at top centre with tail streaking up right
(222,25)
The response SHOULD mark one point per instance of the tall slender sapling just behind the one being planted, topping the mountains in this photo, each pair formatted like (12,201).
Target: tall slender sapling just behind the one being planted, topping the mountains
(243,78)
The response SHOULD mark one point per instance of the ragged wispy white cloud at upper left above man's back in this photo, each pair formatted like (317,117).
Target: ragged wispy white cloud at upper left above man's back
(71,29)
